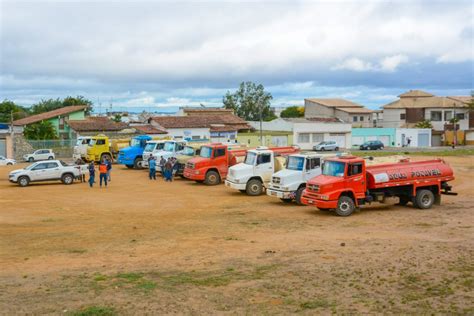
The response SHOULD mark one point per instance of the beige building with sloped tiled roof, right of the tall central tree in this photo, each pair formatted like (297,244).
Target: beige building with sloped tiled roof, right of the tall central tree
(346,111)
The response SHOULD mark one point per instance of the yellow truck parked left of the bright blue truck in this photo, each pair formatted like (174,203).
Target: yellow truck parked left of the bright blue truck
(101,147)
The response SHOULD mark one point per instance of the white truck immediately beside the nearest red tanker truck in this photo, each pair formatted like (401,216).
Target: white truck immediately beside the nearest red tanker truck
(288,184)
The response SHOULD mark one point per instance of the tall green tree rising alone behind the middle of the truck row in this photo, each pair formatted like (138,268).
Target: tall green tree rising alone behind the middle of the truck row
(249,101)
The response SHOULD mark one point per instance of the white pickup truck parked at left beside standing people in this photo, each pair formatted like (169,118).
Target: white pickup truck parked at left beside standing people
(45,171)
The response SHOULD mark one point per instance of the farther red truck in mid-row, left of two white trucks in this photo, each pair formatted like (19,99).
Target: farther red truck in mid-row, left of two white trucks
(215,159)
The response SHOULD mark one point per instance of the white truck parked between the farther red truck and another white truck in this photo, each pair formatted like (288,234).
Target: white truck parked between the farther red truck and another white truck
(255,173)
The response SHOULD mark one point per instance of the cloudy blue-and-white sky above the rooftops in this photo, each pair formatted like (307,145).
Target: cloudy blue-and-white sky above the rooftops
(155,54)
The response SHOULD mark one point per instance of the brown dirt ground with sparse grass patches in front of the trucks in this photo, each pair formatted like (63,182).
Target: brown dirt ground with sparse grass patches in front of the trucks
(150,247)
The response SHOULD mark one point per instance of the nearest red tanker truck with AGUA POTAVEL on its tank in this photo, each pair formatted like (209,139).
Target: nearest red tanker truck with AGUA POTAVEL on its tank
(346,183)
